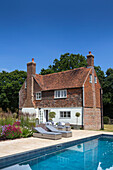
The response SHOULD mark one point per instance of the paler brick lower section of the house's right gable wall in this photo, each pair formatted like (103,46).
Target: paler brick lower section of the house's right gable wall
(92,118)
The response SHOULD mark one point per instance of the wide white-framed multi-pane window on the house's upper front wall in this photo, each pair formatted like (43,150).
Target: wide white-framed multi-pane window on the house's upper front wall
(60,93)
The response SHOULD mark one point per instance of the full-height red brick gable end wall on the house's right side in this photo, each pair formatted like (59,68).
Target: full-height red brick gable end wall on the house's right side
(92,105)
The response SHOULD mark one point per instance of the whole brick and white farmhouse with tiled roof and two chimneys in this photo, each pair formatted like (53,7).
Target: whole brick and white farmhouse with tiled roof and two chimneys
(65,93)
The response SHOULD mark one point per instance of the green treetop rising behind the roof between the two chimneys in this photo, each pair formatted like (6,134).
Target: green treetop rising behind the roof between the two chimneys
(67,62)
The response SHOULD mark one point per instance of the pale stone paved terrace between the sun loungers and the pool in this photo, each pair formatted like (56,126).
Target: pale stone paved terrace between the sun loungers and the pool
(10,147)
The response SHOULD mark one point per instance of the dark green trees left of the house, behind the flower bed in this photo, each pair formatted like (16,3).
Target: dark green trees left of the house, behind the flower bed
(10,84)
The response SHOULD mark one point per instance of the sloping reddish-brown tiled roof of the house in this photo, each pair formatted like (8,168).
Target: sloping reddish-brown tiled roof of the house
(61,80)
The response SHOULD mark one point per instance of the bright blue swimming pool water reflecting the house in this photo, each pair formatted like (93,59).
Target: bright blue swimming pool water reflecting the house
(96,154)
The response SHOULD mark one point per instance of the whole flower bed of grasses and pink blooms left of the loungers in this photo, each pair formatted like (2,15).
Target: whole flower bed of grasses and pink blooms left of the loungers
(12,128)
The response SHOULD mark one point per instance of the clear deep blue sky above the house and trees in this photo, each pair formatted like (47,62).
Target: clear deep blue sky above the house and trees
(45,29)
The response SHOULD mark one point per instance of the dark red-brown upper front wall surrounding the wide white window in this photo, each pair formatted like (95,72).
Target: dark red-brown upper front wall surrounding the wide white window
(74,99)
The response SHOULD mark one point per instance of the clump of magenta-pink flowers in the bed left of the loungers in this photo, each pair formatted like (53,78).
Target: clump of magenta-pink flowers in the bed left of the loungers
(11,132)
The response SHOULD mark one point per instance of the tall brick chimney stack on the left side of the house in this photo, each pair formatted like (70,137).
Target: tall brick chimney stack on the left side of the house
(31,71)
